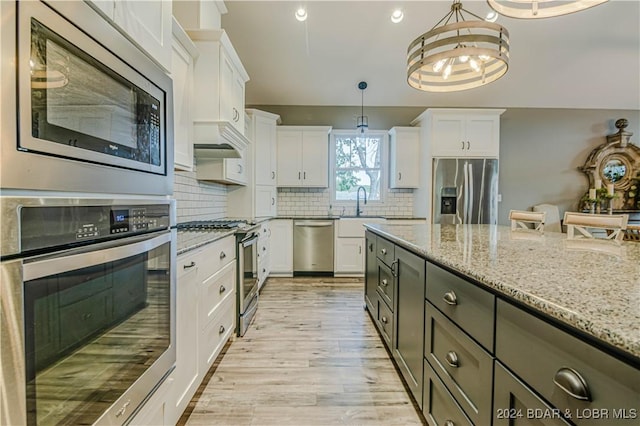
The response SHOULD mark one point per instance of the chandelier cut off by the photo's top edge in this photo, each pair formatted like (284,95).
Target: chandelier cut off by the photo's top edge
(535,9)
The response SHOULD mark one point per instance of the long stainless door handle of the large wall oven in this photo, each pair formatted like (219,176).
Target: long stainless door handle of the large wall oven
(98,254)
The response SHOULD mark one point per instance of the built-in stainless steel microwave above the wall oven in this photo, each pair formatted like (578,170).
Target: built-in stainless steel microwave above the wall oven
(93,112)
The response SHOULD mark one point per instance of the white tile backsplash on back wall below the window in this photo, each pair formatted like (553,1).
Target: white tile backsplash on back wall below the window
(316,201)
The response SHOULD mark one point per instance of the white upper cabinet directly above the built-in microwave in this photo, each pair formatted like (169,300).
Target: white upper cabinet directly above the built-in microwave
(148,24)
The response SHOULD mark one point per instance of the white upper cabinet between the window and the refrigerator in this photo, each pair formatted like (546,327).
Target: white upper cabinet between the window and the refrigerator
(404,157)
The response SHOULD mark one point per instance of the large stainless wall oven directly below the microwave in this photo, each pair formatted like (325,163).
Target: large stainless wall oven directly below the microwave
(87,298)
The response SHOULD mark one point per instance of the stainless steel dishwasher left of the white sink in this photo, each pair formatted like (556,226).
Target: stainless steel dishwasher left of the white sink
(313,247)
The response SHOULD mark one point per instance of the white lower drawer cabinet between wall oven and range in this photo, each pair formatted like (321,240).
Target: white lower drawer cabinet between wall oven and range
(205,320)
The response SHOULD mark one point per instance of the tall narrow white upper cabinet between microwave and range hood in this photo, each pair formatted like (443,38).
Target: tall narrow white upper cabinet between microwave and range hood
(183,56)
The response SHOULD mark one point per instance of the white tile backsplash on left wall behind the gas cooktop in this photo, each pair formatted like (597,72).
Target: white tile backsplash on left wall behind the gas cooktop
(197,200)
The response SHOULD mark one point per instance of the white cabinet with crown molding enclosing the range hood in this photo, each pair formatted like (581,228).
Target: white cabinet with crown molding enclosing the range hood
(220,79)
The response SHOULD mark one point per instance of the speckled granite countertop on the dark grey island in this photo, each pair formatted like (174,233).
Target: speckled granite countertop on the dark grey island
(592,286)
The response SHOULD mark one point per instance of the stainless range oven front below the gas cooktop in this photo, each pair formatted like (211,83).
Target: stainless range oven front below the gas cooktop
(247,292)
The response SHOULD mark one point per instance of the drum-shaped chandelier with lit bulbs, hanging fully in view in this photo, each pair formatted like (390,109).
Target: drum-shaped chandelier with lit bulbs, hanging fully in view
(458,54)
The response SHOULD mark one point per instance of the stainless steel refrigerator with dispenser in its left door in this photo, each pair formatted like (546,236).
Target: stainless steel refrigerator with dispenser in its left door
(465,190)
